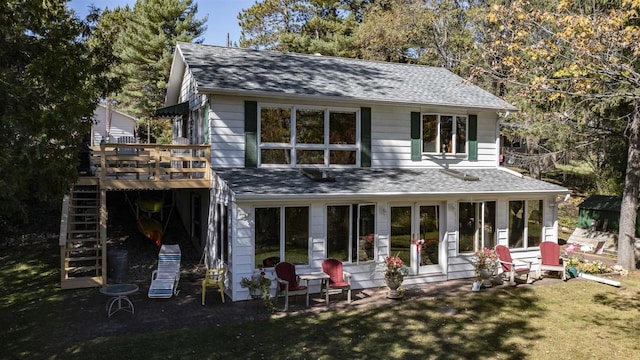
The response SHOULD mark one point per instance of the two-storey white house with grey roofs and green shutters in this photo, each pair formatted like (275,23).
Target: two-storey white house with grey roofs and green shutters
(315,157)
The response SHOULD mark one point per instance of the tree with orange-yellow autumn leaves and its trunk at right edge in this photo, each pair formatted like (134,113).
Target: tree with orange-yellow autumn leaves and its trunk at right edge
(582,59)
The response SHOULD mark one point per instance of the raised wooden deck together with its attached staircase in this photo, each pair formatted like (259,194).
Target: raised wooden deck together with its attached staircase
(83,226)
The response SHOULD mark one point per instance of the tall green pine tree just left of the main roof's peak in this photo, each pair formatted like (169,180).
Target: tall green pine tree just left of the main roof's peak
(145,49)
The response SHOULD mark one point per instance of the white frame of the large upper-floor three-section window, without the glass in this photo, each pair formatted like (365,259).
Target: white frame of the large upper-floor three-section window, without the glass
(292,146)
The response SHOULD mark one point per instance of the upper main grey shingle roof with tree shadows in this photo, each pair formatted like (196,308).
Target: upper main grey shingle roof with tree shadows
(235,70)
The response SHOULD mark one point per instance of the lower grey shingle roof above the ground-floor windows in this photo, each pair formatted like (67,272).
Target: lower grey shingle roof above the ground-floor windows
(281,183)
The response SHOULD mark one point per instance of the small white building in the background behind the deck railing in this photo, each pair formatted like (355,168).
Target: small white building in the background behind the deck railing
(111,125)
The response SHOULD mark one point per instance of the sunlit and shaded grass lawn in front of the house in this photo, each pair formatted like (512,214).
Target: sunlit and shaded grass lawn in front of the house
(574,320)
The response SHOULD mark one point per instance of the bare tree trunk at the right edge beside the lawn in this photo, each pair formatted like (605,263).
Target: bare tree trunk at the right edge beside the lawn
(629,207)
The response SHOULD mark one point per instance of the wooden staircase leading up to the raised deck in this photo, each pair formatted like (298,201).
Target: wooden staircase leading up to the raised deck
(82,243)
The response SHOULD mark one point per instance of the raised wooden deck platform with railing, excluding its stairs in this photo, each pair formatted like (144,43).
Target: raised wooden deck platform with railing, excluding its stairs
(152,166)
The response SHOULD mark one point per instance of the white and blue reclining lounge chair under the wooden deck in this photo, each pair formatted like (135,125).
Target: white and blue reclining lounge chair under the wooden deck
(164,280)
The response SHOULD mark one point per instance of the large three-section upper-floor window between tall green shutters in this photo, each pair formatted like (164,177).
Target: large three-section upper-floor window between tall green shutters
(299,136)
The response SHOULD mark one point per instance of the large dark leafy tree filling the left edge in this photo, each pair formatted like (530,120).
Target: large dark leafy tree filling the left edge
(49,88)
